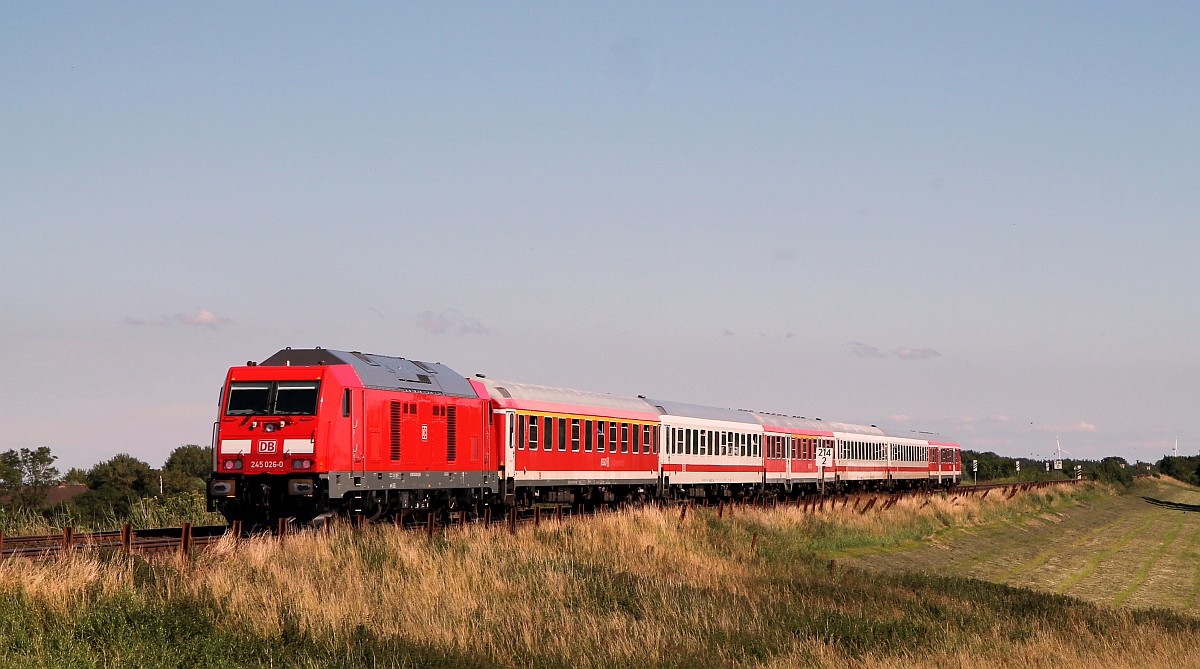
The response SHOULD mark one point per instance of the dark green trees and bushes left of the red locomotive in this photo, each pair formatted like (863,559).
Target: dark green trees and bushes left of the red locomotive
(28,477)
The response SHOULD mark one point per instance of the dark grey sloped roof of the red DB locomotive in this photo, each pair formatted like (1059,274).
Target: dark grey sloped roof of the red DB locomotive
(382,371)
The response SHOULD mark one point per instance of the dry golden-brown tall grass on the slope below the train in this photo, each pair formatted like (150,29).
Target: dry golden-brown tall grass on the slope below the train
(635,588)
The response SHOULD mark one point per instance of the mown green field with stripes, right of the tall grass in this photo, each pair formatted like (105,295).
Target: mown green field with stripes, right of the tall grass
(1118,551)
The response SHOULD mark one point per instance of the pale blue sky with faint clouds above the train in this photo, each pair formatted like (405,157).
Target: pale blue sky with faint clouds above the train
(971,220)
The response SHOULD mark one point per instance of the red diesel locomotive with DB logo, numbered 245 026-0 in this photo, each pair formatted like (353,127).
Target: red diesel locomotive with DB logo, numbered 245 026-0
(310,432)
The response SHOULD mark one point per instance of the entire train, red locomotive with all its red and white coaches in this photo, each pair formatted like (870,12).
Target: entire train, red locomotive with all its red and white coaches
(309,433)
